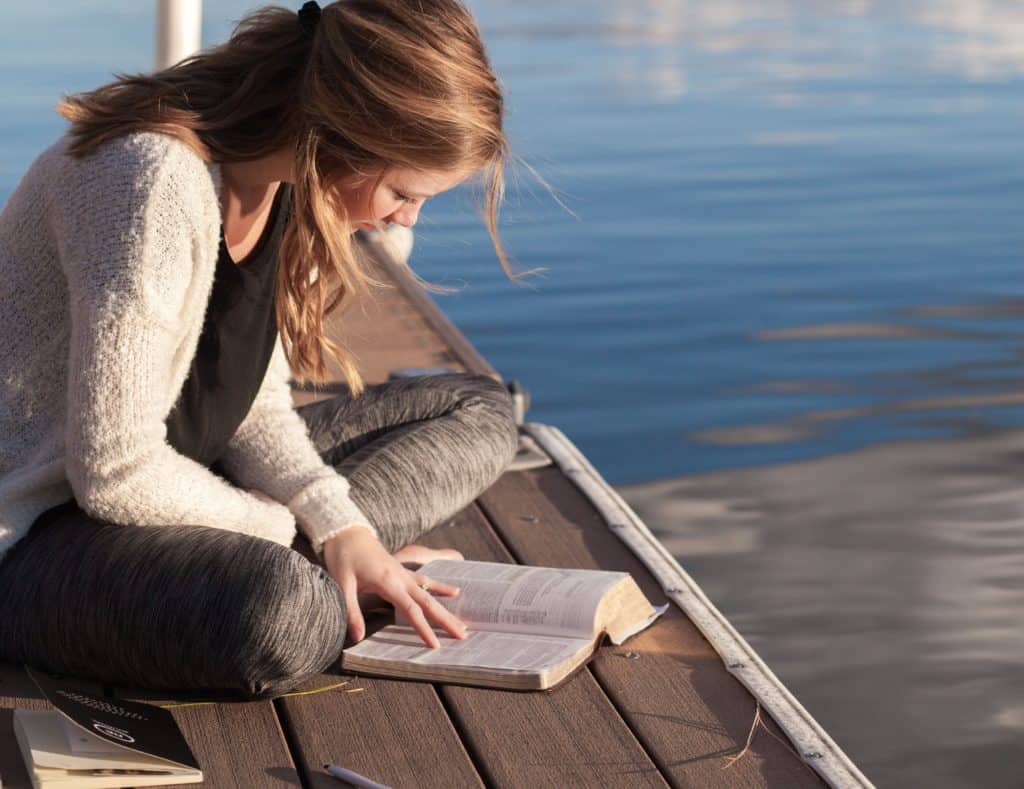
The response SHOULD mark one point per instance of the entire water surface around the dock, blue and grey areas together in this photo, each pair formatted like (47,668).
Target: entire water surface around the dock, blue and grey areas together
(785,320)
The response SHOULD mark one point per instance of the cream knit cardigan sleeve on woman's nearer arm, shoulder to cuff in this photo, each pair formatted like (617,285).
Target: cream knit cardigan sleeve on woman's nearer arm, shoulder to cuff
(130,246)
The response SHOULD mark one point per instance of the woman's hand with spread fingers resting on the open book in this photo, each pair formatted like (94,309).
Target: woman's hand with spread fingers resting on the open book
(359,562)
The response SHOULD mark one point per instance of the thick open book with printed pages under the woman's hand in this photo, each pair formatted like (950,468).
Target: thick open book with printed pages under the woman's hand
(530,628)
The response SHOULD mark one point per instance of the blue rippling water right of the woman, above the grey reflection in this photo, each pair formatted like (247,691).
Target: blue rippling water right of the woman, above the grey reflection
(737,176)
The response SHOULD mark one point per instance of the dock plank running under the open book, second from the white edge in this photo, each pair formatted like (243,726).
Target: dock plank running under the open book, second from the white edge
(571,736)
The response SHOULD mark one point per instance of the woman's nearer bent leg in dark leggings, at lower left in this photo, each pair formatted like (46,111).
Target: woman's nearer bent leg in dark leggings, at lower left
(169,608)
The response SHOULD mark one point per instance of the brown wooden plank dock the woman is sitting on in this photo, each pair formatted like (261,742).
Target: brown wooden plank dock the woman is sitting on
(660,711)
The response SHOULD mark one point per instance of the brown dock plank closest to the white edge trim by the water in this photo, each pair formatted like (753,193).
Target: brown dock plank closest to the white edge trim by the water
(691,715)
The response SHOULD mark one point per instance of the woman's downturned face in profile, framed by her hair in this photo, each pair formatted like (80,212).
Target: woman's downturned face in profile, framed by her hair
(398,198)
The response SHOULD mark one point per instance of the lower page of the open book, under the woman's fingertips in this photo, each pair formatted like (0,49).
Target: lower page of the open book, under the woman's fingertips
(482,649)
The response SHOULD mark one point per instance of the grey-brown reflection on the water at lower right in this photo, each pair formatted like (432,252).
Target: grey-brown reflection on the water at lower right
(885,587)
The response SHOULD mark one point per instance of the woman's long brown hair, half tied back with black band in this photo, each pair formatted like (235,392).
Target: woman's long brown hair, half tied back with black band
(375,83)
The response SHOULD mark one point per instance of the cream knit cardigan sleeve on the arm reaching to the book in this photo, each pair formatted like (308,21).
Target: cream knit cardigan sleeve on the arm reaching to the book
(272,452)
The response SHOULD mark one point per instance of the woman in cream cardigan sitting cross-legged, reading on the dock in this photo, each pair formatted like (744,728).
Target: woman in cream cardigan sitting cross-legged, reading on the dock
(153,472)
